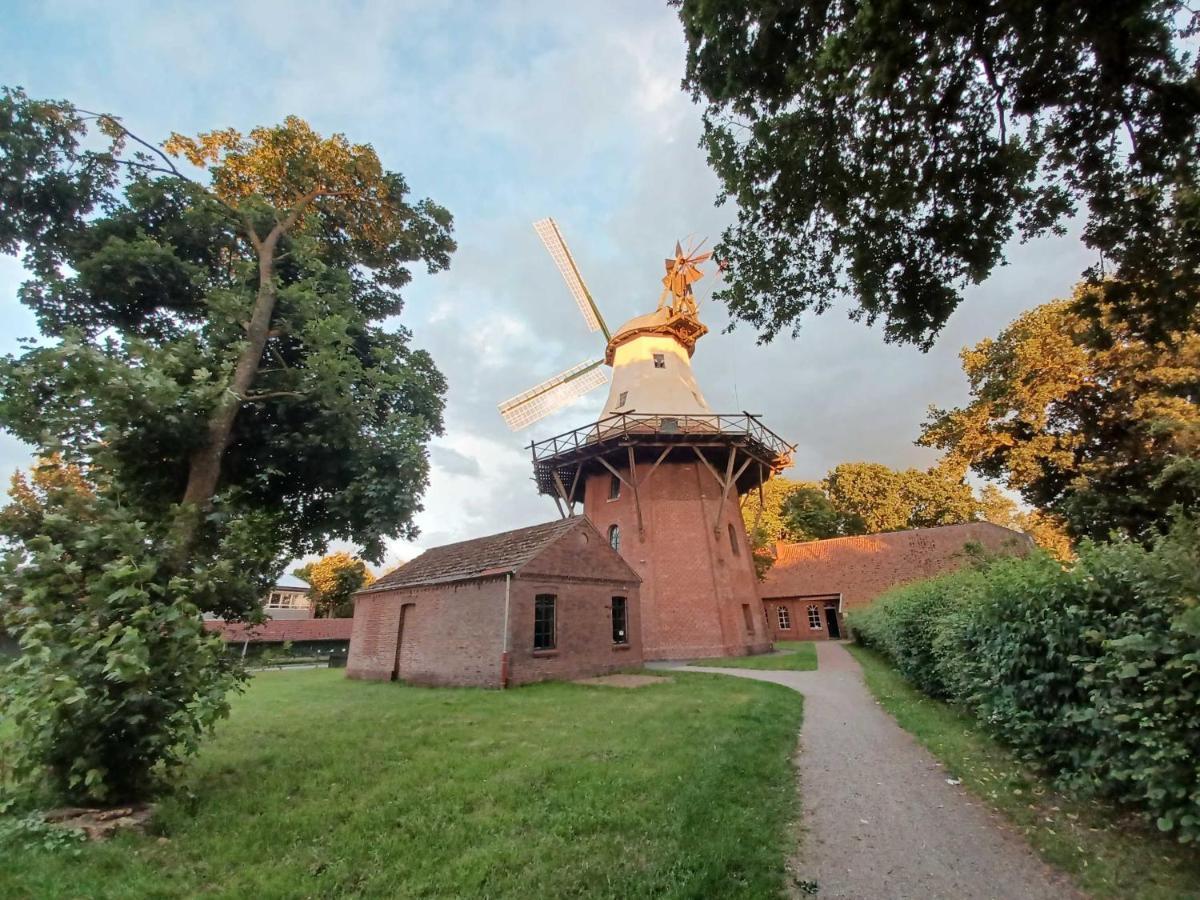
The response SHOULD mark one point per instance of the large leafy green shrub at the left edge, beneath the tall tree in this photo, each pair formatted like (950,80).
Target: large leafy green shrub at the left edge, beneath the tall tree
(118,680)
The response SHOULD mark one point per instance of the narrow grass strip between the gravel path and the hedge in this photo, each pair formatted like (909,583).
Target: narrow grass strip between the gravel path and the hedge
(1108,855)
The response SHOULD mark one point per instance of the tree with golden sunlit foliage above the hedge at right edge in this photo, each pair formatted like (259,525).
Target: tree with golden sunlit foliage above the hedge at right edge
(1102,435)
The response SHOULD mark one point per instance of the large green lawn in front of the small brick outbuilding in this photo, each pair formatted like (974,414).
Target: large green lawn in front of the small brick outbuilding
(319,787)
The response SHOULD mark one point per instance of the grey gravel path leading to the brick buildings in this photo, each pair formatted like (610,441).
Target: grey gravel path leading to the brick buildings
(880,819)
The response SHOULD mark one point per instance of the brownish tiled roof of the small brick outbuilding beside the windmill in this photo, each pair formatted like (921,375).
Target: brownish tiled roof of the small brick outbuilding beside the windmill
(494,555)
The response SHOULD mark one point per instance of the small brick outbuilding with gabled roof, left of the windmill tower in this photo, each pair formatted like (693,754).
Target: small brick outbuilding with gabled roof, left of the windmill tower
(549,602)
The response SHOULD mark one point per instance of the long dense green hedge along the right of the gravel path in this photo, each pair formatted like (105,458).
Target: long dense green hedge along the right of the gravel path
(1091,671)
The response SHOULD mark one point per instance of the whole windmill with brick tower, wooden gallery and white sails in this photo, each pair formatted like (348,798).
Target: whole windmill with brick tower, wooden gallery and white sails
(661,473)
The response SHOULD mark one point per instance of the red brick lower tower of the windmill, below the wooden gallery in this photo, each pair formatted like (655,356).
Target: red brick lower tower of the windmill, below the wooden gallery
(694,585)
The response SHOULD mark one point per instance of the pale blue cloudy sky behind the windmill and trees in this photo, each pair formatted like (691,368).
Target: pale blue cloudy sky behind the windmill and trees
(505,113)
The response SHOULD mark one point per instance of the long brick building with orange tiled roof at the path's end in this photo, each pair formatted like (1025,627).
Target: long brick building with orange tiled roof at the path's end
(813,585)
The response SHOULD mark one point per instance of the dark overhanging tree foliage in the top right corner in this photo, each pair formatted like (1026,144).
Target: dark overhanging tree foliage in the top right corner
(892,152)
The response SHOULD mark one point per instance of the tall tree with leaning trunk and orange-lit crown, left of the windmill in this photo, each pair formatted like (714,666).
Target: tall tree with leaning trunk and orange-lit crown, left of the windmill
(215,352)
